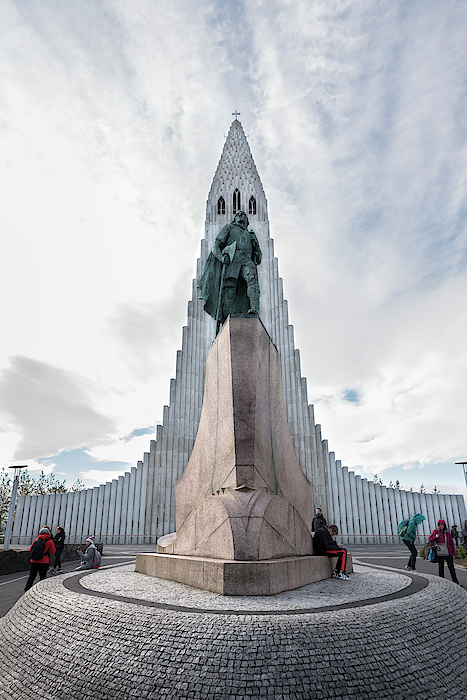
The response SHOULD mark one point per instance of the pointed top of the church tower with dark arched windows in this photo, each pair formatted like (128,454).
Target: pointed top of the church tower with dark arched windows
(236,184)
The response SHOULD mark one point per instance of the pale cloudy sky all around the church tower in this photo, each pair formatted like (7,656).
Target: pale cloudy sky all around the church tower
(113,115)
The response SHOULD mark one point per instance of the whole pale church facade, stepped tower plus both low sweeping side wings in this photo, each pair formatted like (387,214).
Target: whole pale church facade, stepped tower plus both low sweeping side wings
(139,507)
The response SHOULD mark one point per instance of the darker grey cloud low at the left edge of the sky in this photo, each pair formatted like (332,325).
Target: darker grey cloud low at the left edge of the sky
(50,408)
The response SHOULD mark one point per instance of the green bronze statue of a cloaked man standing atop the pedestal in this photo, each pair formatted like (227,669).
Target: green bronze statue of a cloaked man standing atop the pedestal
(229,284)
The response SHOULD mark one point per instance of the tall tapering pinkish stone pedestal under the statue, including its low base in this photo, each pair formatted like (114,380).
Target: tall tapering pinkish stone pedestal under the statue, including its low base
(243,496)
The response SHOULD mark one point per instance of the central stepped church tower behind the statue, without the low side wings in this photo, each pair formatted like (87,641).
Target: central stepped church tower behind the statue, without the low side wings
(236,186)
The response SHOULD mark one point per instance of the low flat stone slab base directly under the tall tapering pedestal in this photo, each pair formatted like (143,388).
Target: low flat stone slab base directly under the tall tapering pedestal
(266,577)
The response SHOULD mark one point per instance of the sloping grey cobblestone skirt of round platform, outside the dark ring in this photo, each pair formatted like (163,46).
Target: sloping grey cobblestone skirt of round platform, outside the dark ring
(58,644)
